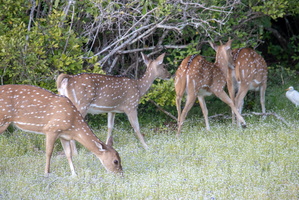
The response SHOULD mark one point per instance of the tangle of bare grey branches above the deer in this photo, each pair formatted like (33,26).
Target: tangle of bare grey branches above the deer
(120,27)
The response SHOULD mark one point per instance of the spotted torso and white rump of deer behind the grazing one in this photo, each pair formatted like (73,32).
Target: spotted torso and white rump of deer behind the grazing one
(96,93)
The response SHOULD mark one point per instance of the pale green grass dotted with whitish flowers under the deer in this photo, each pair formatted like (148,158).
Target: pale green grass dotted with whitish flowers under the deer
(260,162)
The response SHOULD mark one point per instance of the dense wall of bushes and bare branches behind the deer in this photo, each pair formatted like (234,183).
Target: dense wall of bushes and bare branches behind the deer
(40,39)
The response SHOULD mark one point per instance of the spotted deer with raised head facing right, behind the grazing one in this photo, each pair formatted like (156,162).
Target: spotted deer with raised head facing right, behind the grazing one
(97,93)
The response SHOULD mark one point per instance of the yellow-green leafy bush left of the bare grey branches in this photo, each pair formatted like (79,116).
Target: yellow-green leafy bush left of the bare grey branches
(36,54)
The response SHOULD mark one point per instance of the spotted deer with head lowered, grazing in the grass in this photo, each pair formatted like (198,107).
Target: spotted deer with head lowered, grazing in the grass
(37,110)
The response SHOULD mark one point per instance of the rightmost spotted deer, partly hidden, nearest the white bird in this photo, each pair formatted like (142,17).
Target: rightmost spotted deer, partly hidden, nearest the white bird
(249,73)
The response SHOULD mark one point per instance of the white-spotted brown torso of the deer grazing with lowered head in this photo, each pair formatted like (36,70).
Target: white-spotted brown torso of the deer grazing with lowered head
(35,109)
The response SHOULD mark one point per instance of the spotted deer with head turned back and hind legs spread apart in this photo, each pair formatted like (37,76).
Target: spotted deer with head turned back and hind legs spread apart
(200,78)
